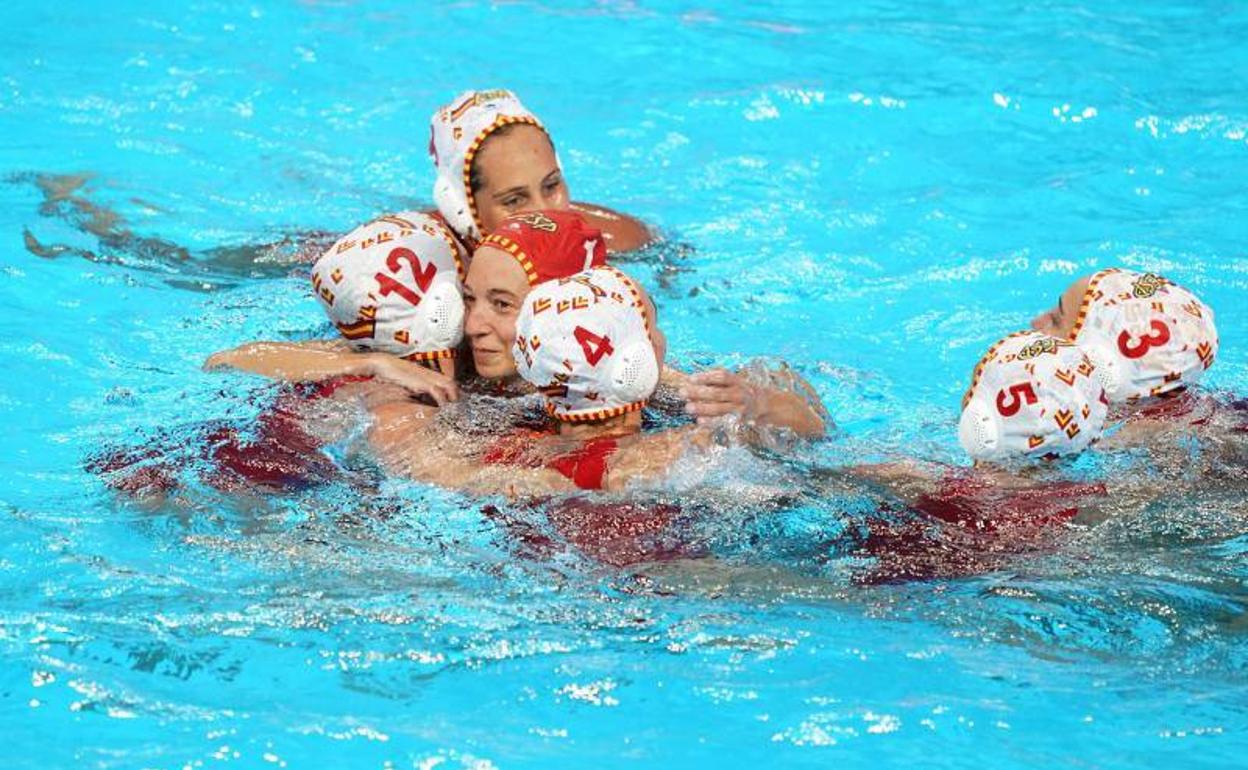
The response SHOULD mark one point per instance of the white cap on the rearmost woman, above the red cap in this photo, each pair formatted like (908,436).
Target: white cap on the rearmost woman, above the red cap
(457,133)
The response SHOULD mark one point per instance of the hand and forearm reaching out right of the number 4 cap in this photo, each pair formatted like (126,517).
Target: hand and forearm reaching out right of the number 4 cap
(718,392)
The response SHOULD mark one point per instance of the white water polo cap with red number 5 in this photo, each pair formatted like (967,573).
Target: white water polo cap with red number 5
(1031,396)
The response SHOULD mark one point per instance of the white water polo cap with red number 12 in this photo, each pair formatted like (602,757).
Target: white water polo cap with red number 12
(394,286)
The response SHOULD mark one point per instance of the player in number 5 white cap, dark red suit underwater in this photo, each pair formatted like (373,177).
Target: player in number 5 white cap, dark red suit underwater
(1033,397)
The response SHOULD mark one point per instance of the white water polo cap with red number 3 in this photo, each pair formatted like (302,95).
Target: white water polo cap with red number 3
(1148,335)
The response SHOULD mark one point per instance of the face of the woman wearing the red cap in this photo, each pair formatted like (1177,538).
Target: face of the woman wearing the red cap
(495,291)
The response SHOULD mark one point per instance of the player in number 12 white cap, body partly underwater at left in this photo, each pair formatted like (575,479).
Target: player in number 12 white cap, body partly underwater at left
(369,288)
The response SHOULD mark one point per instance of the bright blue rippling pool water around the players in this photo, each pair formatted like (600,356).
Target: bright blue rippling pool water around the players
(873,194)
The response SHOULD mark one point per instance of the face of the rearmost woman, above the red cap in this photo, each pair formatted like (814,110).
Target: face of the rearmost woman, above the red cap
(516,170)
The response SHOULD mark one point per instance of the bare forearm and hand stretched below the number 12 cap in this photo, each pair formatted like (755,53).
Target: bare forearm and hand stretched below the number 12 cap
(320,360)
